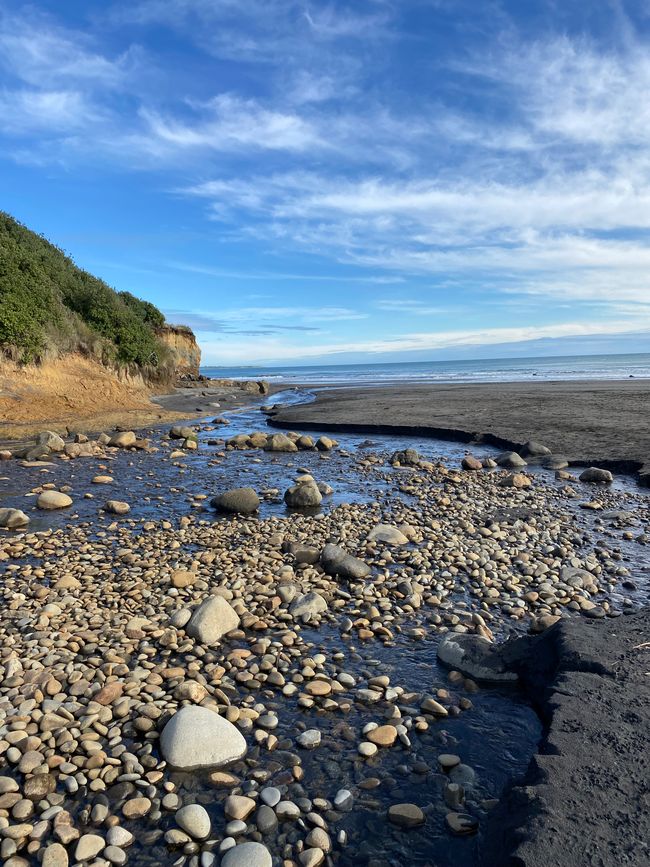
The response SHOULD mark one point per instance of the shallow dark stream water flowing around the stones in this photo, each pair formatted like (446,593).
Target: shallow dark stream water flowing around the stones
(496,737)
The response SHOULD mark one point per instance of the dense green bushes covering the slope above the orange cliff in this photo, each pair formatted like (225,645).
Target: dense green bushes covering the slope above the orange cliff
(48,306)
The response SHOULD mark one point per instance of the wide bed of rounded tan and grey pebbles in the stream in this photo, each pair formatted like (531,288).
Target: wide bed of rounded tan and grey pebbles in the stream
(126,640)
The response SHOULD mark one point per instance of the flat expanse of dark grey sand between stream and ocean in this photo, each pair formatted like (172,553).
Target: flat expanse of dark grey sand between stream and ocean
(590,422)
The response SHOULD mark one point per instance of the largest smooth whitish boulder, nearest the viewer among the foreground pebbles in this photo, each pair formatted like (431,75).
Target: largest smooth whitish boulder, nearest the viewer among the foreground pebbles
(197,737)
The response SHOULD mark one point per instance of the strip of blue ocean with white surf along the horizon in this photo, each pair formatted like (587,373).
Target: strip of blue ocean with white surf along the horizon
(611,367)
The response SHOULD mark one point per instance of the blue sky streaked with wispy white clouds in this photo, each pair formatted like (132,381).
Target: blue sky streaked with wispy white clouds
(343,181)
